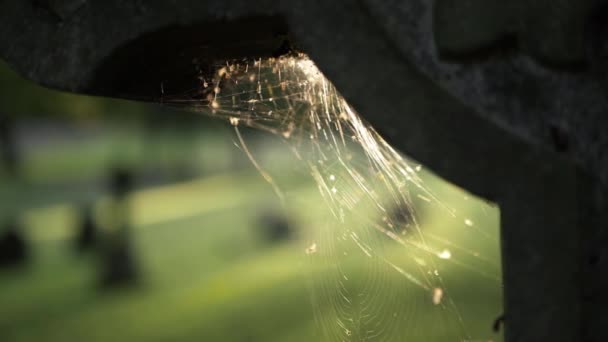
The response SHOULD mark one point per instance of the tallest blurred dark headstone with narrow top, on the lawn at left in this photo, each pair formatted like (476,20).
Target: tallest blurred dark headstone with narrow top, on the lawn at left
(119,268)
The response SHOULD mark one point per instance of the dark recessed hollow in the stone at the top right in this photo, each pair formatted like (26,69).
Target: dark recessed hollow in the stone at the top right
(552,31)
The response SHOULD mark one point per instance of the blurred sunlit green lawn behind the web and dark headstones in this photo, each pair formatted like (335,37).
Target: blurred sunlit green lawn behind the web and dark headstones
(207,273)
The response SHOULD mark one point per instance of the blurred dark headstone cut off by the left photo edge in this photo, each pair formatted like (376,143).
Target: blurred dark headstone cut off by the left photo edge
(13,247)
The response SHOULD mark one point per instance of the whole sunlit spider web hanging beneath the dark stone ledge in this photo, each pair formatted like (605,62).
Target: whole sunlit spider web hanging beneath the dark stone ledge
(395,253)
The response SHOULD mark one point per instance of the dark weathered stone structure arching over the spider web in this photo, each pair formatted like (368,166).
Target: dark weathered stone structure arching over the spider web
(522,125)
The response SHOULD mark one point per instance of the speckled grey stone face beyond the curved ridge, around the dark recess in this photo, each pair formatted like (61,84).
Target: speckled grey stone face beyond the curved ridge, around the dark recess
(560,110)
